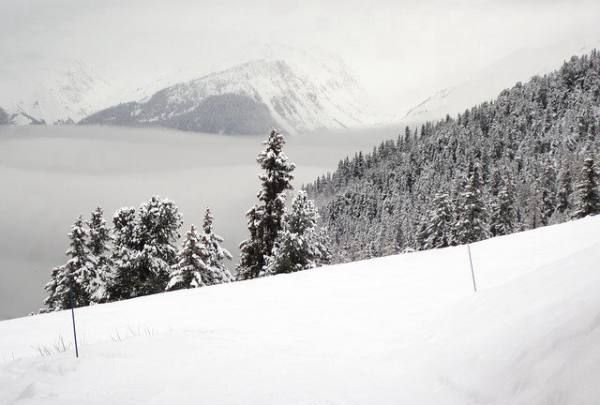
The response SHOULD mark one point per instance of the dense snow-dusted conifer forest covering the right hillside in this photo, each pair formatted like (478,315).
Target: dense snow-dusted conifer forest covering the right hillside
(525,160)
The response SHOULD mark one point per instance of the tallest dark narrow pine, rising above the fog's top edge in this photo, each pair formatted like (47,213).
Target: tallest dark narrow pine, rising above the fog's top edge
(267,216)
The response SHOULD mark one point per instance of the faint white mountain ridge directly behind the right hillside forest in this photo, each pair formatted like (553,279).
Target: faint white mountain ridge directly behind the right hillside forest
(486,84)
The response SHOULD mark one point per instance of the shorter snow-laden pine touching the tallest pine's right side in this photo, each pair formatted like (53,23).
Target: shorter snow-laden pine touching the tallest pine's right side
(301,244)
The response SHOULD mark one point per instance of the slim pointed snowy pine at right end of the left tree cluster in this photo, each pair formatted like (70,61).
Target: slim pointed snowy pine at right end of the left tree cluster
(216,254)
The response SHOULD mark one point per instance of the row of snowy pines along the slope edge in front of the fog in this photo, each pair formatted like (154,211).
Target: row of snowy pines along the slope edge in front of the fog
(138,255)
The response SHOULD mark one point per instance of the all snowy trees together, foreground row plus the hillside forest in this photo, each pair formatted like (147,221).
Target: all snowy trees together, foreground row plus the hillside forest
(525,160)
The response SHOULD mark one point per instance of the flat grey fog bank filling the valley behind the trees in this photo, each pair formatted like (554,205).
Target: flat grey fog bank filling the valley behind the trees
(50,175)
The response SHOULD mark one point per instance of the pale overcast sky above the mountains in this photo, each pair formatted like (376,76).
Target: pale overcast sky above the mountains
(401,50)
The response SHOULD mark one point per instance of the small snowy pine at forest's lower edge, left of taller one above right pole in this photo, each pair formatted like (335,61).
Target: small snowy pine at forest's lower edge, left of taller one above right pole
(438,232)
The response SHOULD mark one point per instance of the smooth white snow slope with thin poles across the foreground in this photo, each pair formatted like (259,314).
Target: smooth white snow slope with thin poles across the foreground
(404,329)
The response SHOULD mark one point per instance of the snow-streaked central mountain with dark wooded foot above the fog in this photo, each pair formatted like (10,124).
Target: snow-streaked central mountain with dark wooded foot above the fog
(250,98)
